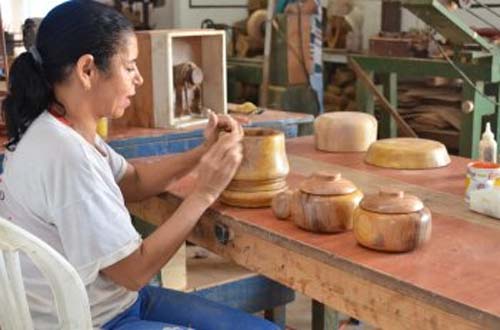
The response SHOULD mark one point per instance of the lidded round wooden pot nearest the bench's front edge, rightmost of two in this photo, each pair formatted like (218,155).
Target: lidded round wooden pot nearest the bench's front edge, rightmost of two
(392,221)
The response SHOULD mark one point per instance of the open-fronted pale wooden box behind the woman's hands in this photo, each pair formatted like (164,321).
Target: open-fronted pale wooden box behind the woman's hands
(159,51)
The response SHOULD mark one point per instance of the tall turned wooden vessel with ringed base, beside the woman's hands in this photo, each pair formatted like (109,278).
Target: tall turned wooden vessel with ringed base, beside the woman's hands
(263,170)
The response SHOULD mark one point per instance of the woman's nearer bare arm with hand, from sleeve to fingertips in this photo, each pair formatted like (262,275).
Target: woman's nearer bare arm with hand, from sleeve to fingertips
(136,270)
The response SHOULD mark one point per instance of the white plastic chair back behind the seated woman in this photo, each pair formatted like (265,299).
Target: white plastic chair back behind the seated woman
(69,292)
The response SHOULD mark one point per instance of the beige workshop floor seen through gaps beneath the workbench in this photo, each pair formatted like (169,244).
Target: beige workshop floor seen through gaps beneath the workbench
(206,269)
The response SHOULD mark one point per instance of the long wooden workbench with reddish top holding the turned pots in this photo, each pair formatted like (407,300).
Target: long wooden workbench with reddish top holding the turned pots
(453,282)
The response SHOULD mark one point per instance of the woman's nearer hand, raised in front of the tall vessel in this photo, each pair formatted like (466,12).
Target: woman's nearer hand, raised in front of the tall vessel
(219,164)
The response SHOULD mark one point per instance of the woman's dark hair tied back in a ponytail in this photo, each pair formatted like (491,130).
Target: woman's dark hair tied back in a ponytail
(69,31)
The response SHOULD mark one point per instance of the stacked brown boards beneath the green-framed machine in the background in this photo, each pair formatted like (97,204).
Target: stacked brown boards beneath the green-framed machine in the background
(432,111)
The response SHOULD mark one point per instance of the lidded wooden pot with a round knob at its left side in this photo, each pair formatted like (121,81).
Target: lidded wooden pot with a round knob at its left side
(324,203)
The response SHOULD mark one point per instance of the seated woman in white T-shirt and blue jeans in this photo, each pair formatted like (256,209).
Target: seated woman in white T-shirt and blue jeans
(68,187)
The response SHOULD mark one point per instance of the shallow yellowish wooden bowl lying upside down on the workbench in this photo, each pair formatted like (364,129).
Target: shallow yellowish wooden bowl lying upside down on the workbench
(407,153)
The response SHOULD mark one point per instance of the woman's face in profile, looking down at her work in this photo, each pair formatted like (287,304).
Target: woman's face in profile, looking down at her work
(114,88)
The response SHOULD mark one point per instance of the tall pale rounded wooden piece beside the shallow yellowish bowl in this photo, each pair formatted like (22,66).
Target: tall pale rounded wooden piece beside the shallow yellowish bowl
(345,131)
